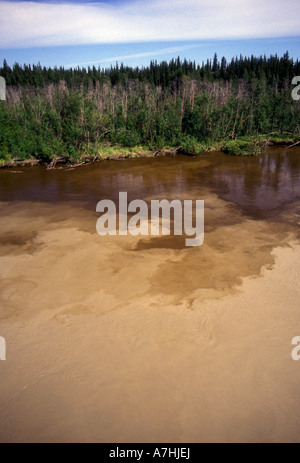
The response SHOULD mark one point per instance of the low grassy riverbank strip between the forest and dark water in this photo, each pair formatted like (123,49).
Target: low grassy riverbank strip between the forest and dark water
(246,146)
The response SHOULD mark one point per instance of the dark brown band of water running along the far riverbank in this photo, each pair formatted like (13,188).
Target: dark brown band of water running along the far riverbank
(261,187)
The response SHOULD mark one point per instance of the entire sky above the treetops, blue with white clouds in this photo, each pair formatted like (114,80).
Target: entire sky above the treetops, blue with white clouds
(83,33)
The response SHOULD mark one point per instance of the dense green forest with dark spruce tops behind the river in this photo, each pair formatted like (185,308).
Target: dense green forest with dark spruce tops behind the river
(77,113)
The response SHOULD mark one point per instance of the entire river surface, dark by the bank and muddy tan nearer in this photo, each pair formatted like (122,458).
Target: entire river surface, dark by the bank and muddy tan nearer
(141,339)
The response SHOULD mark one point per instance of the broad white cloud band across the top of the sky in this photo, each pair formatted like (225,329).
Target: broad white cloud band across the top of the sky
(29,24)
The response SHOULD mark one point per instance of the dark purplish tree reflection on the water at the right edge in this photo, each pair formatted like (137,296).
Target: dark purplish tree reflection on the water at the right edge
(259,185)
